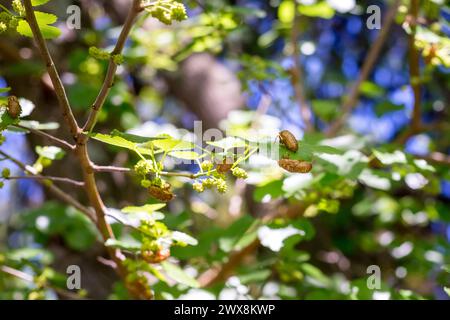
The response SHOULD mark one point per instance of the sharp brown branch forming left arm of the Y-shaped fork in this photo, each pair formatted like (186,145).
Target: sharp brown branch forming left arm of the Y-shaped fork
(51,69)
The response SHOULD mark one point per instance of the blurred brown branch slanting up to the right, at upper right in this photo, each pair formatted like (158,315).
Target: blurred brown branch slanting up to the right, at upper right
(352,99)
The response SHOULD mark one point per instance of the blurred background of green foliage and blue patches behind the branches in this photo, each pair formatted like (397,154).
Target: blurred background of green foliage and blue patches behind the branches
(239,66)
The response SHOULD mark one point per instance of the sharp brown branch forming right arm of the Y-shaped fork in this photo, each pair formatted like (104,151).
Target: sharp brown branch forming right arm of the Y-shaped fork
(112,67)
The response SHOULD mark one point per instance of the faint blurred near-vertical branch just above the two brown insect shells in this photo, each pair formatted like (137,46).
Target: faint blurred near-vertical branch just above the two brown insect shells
(297,76)
